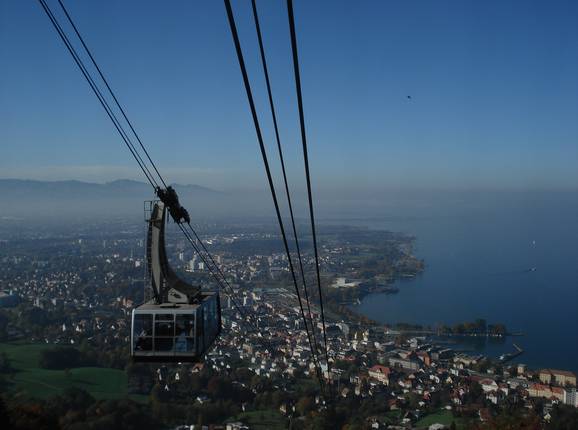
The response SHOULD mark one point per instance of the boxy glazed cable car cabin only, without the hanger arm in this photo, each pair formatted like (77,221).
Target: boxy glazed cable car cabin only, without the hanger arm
(175,332)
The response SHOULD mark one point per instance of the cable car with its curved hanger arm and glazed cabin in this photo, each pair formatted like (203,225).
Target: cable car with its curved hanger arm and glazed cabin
(180,322)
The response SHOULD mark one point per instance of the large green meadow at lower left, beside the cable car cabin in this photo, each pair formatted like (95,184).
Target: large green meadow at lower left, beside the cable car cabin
(33,381)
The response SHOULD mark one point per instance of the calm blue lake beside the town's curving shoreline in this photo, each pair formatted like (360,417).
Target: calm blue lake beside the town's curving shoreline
(478,248)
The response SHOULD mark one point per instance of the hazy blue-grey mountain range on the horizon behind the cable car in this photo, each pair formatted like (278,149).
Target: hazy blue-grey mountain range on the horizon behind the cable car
(32,199)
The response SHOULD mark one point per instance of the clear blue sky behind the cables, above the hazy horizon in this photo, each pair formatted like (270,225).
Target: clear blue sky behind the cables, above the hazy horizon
(494,87)
